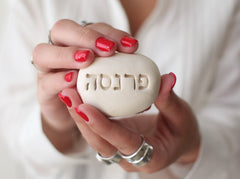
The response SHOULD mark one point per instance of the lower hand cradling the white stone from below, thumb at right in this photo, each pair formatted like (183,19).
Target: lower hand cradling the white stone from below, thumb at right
(173,132)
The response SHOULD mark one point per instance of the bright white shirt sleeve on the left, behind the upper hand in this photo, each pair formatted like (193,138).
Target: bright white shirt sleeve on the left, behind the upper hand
(20,112)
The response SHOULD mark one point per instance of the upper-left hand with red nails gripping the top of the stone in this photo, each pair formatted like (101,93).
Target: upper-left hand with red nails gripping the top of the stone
(75,47)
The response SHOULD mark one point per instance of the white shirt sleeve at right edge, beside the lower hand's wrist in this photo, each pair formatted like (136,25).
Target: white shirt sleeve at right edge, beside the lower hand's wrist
(219,119)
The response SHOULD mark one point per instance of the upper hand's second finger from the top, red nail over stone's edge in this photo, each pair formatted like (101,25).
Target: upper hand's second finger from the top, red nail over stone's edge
(69,33)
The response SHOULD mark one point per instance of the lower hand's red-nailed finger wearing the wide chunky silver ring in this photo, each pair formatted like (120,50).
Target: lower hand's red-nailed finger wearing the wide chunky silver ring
(126,141)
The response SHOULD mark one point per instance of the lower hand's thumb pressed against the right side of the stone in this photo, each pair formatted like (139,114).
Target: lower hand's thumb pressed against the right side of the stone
(167,102)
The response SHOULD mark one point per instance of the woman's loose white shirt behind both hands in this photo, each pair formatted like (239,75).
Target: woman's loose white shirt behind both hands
(197,40)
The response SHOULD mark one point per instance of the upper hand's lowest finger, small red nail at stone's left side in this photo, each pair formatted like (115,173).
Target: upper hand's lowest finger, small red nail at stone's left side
(50,84)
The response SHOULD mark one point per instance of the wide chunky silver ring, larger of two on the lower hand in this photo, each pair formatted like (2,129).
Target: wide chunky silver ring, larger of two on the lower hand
(142,156)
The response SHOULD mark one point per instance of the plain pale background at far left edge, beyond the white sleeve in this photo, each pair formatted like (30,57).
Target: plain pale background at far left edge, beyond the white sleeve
(9,169)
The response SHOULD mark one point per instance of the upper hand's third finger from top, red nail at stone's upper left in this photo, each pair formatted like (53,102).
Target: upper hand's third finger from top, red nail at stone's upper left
(48,57)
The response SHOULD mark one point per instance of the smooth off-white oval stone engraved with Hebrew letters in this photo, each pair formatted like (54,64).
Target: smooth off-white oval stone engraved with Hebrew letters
(120,85)
